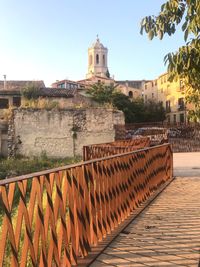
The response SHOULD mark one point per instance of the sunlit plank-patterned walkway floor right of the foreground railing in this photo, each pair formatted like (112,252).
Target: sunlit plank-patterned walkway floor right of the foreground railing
(167,233)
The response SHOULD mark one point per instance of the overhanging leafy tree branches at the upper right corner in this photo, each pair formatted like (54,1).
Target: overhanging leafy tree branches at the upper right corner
(185,63)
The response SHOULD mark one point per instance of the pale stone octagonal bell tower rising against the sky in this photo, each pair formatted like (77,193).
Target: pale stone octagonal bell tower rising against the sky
(97,60)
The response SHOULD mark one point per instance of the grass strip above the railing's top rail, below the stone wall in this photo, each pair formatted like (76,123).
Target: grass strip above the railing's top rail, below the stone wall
(19,166)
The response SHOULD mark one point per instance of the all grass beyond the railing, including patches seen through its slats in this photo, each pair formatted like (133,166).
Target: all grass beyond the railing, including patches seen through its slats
(19,166)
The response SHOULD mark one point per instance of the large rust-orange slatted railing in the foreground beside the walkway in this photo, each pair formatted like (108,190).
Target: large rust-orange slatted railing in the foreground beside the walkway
(54,217)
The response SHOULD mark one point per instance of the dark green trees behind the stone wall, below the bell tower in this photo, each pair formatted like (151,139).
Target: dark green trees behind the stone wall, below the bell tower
(135,110)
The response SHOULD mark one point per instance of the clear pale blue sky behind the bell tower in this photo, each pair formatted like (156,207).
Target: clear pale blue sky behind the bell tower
(48,39)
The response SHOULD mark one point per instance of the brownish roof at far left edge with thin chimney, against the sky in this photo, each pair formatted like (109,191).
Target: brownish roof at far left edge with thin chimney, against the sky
(18,85)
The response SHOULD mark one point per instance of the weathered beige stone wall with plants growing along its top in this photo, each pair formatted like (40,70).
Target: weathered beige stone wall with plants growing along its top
(60,133)
